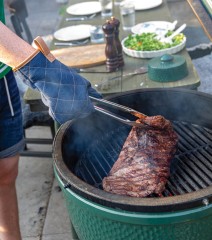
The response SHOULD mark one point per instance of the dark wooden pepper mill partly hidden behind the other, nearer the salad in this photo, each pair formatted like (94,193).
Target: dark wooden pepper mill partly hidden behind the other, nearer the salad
(116,24)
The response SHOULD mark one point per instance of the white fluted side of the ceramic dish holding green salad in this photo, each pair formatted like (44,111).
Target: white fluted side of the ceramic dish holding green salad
(152,54)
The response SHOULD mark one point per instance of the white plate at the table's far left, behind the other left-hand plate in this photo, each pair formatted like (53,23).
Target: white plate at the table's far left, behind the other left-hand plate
(84,8)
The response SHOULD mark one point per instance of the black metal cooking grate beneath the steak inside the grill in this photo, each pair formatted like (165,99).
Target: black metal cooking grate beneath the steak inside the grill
(191,169)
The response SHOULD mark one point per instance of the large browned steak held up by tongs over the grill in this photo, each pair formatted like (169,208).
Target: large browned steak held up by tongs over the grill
(143,165)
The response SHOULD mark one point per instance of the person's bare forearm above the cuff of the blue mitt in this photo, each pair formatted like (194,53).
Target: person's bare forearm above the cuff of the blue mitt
(13,49)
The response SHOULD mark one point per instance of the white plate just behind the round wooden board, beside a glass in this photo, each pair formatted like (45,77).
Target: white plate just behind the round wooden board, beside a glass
(72,33)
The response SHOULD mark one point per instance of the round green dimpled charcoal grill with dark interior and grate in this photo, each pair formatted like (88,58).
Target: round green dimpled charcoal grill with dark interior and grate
(85,150)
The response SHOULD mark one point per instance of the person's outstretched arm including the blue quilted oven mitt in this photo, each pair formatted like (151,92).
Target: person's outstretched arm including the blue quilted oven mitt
(63,90)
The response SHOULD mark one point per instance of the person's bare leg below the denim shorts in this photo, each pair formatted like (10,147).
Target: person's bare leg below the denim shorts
(9,221)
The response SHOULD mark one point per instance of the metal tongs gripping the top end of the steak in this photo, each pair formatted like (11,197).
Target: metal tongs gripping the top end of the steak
(120,107)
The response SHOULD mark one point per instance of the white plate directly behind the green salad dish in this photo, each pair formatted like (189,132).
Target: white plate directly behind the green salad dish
(157,27)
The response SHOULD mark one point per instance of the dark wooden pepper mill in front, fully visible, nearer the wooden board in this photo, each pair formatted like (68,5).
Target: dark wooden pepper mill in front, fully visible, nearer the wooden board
(110,48)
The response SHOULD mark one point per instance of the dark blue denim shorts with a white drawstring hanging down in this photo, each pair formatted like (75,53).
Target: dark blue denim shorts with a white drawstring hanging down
(11,127)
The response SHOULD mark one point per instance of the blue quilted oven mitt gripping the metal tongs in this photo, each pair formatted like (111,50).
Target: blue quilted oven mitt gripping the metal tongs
(63,90)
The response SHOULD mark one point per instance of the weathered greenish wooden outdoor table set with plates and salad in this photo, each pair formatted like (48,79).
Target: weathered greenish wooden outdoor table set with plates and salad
(160,13)
